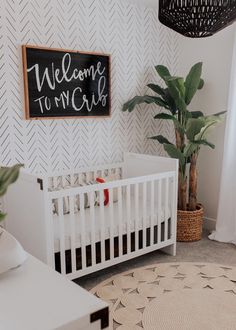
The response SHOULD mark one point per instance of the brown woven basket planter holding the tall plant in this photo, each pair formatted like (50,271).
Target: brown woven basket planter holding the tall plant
(189,225)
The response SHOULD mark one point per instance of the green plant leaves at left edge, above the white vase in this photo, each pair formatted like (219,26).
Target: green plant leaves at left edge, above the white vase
(8,175)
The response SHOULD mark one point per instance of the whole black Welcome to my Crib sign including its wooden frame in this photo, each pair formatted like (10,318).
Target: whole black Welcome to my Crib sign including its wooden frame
(61,83)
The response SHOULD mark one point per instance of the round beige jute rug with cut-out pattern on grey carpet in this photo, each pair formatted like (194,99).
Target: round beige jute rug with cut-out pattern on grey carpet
(176,296)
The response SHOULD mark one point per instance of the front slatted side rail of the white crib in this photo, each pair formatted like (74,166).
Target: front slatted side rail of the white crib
(146,213)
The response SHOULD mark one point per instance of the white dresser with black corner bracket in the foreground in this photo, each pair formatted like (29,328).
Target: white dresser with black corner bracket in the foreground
(34,297)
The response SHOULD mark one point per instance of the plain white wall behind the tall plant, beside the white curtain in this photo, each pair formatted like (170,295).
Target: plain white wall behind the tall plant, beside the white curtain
(216,53)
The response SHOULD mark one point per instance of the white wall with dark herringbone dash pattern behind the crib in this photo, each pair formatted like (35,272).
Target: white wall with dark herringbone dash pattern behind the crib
(127,30)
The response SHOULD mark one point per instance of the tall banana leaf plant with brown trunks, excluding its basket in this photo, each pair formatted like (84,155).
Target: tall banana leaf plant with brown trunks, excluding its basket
(191,127)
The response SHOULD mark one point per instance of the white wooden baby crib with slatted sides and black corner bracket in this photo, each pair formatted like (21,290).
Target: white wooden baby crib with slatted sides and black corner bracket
(82,240)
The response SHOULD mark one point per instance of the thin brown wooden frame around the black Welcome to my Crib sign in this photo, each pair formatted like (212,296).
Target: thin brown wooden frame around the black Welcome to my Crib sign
(27,112)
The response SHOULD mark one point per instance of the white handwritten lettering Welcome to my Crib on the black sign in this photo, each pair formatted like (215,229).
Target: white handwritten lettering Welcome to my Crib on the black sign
(76,98)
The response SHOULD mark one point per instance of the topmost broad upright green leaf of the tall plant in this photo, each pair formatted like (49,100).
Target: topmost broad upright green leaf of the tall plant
(193,82)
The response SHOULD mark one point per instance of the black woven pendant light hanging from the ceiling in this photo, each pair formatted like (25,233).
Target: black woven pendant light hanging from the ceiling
(197,18)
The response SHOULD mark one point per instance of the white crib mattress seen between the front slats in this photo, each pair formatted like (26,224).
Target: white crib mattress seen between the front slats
(119,224)
